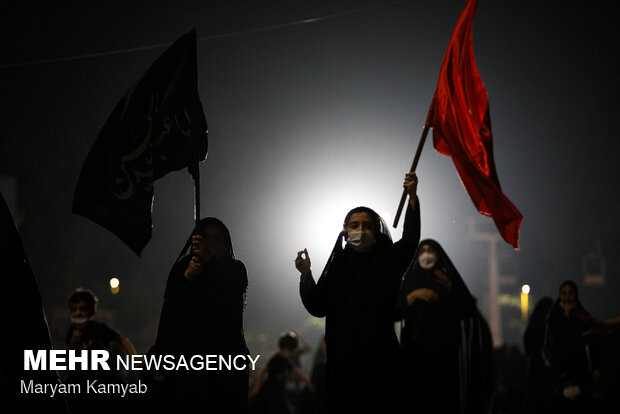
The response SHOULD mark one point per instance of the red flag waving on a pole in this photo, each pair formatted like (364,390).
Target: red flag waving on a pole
(459,116)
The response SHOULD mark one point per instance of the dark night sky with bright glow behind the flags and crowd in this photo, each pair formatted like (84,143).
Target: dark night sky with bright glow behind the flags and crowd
(306,122)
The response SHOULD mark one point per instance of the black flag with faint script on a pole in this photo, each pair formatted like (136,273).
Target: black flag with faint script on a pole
(157,127)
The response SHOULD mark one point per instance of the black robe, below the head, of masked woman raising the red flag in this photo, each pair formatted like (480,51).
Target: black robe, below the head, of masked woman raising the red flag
(357,294)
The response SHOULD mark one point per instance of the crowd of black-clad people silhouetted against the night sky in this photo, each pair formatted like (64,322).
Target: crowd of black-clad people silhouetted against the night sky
(443,361)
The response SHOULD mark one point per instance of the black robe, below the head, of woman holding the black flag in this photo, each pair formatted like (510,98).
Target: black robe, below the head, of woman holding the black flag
(204,316)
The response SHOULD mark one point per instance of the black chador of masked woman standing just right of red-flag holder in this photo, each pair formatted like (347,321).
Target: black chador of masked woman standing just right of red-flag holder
(447,344)
